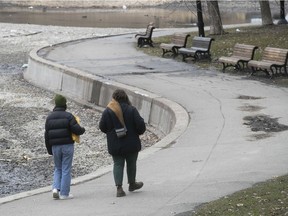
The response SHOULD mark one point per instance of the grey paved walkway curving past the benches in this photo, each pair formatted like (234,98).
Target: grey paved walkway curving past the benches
(216,155)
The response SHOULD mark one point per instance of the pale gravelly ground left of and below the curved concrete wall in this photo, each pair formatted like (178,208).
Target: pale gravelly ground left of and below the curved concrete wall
(24,163)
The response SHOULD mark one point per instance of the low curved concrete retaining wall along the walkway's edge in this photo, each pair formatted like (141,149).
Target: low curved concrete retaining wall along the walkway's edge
(166,116)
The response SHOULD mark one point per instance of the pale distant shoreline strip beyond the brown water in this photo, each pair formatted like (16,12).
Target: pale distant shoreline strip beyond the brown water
(116,4)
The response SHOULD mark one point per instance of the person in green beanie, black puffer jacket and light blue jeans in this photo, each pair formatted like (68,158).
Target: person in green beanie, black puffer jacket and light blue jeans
(59,127)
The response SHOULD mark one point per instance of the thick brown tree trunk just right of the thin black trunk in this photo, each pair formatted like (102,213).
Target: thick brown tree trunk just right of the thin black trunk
(216,27)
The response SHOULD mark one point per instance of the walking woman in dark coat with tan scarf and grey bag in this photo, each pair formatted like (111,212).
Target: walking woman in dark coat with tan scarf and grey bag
(122,124)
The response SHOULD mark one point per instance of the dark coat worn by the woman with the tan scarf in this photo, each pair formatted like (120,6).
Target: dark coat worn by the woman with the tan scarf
(135,126)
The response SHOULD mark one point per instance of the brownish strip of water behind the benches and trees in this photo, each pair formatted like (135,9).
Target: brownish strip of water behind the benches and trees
(130,18)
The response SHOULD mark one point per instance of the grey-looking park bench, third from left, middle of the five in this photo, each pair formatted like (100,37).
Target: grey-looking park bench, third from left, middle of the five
(200,48)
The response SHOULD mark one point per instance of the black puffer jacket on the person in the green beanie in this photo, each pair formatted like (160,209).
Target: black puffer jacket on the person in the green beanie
(59,128)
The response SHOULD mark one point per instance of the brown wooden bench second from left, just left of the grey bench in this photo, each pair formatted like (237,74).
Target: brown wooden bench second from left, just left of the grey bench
(178,41)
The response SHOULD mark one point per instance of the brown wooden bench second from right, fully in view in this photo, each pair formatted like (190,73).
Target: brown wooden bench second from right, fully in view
(242,54)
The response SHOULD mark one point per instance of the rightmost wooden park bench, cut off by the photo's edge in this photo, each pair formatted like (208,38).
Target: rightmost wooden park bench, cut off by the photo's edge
(272,63)
